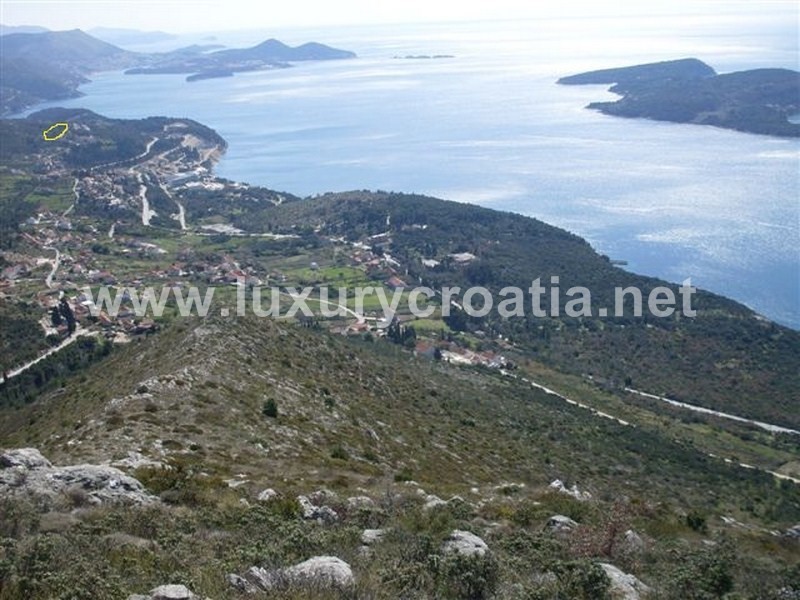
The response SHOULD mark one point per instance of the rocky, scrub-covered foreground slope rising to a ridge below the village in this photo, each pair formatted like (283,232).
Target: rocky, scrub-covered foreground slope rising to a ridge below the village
(360,419)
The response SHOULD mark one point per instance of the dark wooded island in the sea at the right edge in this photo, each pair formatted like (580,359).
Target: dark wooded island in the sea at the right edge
(690,91)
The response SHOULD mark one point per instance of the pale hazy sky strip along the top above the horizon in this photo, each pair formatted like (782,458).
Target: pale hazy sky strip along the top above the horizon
(217,15)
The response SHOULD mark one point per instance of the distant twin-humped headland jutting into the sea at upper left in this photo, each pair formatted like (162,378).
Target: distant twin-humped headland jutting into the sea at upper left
(266,55)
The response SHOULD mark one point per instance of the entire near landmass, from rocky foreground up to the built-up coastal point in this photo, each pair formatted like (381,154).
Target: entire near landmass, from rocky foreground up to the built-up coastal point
(447,457)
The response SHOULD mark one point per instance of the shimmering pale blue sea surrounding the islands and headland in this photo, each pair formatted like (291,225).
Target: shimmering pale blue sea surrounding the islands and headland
(491,127)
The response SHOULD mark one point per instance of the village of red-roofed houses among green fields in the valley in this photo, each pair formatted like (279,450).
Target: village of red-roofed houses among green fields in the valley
(69,256)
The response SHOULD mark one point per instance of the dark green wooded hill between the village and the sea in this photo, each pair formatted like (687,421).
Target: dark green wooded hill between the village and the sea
(711,360)
